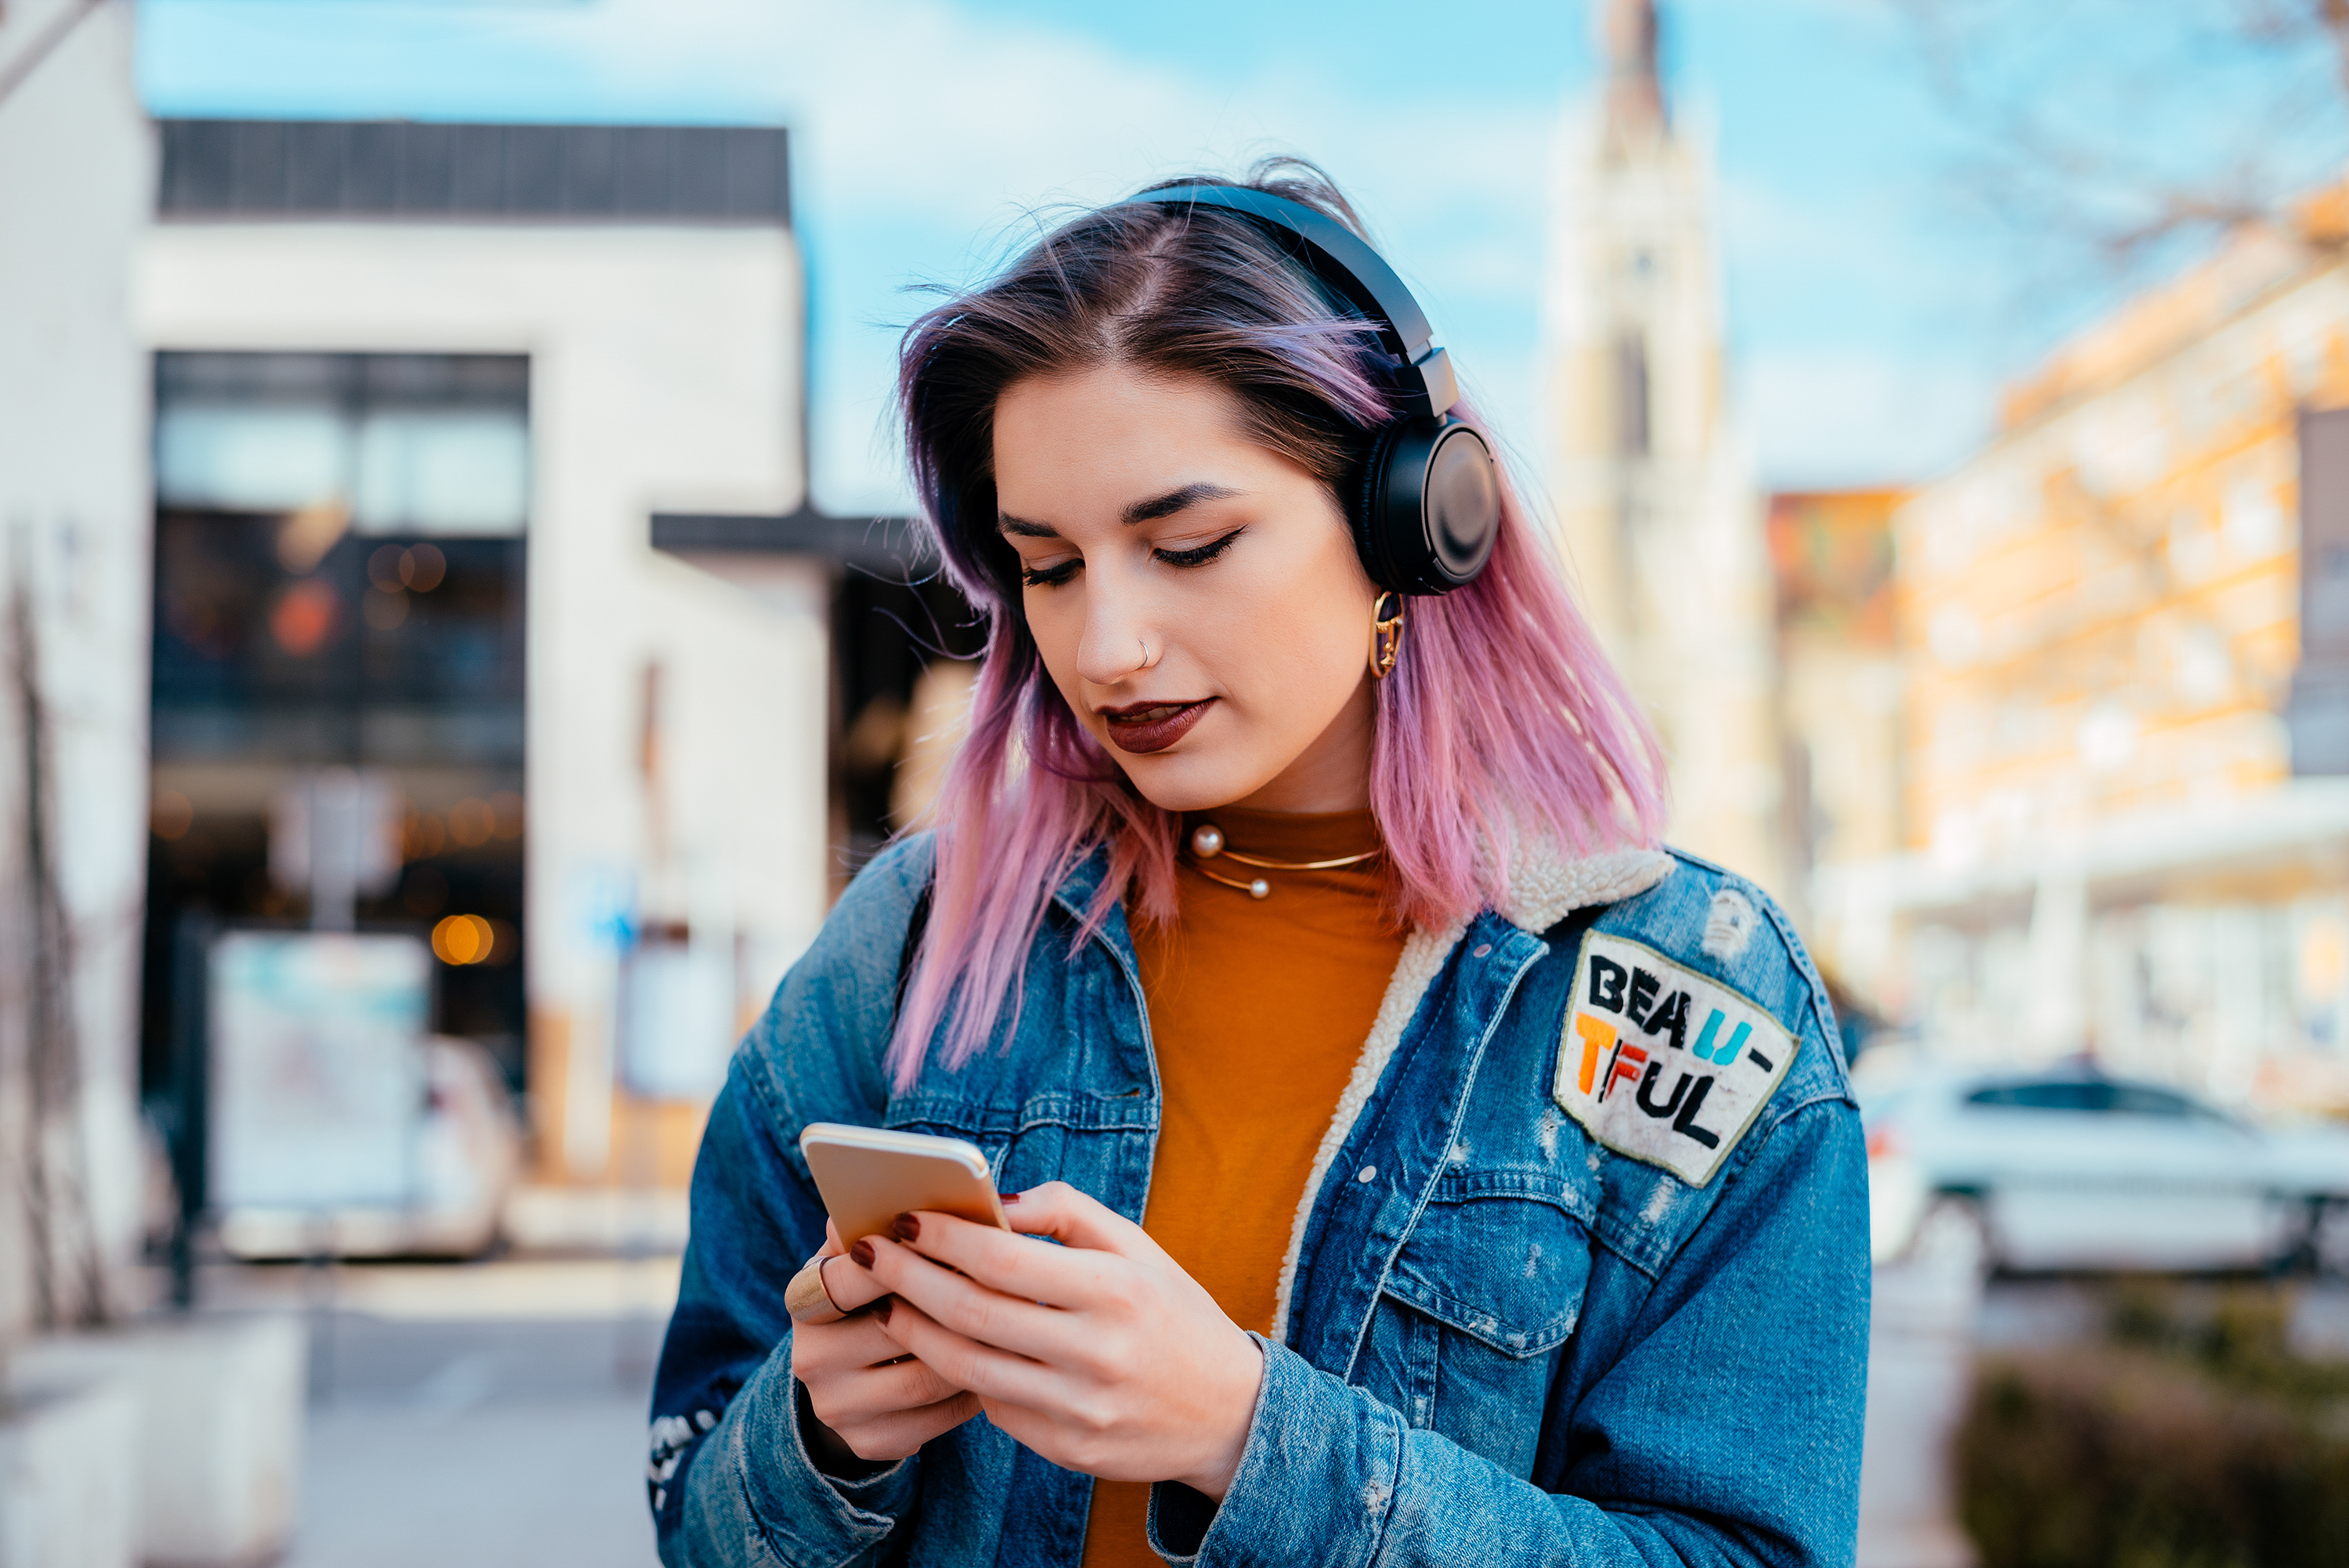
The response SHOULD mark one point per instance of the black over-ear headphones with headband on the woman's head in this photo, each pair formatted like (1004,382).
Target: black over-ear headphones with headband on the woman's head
(1427,506)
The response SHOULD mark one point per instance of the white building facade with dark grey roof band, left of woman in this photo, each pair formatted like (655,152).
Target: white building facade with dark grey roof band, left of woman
(673,729)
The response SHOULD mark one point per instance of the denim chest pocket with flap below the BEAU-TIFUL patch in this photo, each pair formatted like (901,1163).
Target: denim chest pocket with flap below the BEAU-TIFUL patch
(1483,1295)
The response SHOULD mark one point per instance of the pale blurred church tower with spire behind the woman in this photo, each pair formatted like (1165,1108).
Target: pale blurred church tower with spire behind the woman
(1653,480)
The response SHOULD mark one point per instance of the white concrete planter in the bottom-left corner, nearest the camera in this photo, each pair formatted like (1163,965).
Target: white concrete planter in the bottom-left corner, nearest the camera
(69,1487)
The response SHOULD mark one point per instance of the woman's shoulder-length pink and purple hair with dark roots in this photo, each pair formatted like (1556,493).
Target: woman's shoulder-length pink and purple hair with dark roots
(1500,719)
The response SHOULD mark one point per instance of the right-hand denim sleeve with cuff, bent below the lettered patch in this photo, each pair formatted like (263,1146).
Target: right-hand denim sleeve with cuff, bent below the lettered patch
(1723,1424)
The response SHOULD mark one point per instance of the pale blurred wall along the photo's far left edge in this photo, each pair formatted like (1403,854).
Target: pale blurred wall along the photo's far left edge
(76,170)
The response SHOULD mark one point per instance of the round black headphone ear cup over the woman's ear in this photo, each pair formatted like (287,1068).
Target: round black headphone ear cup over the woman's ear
(1432,506)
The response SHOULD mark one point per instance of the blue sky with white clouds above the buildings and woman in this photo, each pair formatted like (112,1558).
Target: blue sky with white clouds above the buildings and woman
(1871,323)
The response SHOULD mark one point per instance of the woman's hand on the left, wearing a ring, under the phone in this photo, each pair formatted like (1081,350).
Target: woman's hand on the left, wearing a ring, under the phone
(870,1403)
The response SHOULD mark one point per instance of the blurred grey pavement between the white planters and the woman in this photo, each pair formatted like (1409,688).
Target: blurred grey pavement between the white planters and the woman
(471,1417)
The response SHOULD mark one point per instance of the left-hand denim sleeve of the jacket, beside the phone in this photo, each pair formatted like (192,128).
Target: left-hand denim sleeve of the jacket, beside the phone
(732,1480)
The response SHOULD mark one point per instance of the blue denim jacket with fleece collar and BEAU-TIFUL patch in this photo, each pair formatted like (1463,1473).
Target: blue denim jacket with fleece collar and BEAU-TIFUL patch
(1580,1276)
